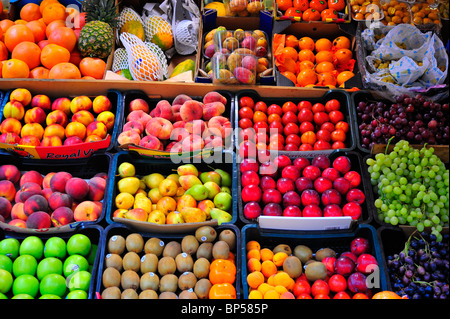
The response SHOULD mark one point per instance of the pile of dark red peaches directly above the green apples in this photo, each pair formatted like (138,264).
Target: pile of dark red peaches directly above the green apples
(32,200)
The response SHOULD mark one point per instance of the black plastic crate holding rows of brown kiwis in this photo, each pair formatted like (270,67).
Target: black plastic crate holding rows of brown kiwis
(124,230)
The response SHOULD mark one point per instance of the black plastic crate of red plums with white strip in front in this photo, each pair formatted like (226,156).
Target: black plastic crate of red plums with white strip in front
(357,165)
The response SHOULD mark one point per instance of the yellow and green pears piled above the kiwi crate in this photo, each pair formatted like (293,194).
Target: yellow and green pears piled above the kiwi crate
(185,196)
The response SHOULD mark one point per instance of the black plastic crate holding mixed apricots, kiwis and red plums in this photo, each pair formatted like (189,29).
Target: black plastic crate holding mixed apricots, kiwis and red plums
(338,241)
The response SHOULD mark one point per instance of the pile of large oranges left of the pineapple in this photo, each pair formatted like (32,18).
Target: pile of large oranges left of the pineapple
(42,44)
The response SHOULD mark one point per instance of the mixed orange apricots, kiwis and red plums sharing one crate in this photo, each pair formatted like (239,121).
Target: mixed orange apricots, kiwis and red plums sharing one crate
(297,272)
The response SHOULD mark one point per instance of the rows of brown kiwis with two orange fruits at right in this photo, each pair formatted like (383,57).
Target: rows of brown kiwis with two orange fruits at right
(197,266)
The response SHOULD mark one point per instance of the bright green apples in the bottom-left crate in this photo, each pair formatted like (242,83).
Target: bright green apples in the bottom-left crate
(53,268)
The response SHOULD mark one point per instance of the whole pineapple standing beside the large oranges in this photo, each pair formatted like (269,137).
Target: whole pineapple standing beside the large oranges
(97,36)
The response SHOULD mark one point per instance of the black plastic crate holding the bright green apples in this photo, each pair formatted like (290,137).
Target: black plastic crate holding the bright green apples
(95,234)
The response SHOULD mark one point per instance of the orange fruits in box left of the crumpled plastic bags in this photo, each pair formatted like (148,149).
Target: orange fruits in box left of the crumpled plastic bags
(309,63)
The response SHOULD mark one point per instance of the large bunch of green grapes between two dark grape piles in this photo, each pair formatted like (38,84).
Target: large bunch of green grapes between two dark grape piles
(412,187)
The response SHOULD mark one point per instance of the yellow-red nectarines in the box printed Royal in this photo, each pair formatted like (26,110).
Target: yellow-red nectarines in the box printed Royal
(39,121)
